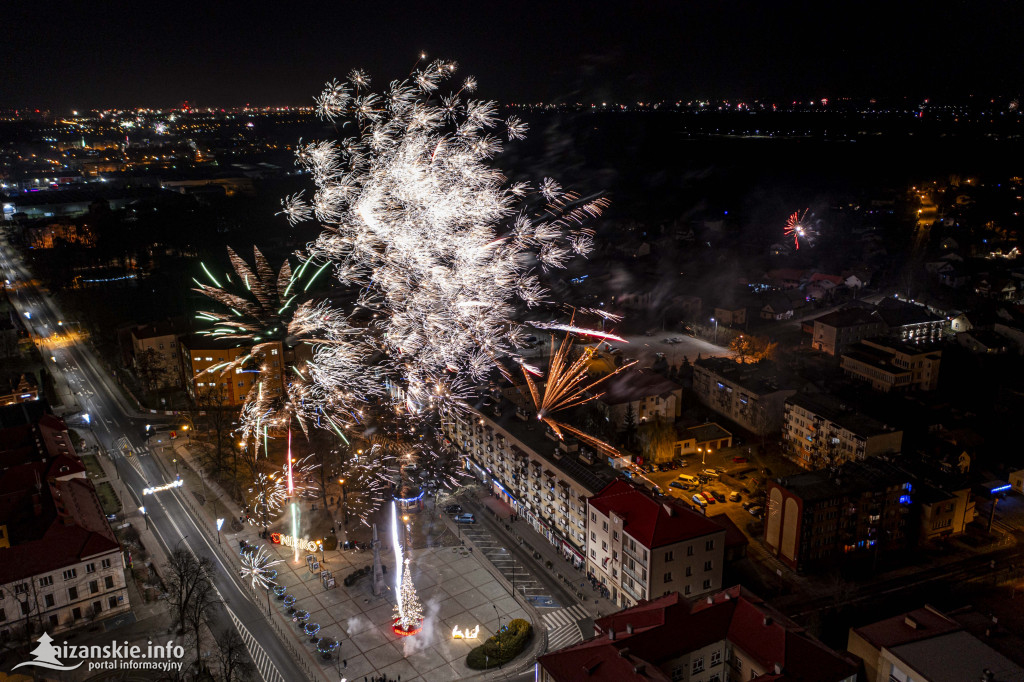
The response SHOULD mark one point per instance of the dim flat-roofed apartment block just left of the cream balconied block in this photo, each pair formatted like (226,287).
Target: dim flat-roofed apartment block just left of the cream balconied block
(751,395)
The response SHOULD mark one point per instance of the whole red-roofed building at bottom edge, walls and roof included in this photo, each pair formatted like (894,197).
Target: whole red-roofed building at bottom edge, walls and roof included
(731,635)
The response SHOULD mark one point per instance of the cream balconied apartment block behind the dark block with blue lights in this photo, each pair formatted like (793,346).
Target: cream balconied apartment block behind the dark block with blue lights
(820,431)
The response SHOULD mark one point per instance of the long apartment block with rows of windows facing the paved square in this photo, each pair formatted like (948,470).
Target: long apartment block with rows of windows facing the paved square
(546,481)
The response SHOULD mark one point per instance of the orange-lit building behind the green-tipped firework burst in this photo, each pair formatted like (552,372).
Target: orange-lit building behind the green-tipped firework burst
(203,359)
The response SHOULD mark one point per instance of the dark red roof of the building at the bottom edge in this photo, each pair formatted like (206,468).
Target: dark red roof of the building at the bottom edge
(668,628)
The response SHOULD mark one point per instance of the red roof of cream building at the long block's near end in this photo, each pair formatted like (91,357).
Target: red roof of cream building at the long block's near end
(652,523)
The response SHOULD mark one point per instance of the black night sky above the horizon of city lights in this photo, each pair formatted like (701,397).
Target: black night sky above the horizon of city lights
(104,54)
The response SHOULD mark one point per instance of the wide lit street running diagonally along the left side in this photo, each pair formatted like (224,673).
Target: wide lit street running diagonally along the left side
(118,431)
